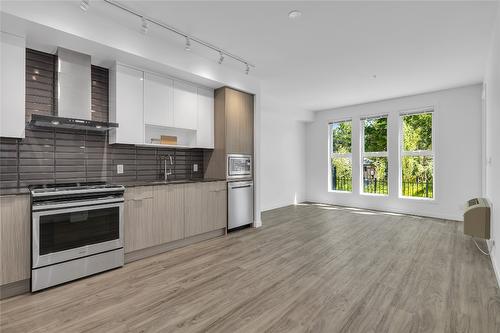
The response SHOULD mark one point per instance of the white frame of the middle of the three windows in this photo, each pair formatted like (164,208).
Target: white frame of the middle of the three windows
(364,154)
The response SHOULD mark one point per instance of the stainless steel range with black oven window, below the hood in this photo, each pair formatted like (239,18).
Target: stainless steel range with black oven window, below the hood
(77,230)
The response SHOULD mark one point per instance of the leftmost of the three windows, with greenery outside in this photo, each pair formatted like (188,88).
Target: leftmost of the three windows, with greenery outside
(340,156)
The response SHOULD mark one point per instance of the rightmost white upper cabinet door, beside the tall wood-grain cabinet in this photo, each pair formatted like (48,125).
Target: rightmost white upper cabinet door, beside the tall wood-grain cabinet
(205,131)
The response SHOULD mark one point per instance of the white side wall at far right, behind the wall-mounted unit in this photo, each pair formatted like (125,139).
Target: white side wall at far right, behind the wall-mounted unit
(492,191)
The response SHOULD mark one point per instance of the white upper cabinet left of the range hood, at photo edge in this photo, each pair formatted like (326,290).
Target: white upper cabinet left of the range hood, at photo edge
(12,86)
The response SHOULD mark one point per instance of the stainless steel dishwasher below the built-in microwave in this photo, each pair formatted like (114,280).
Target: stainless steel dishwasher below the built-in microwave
(240,204)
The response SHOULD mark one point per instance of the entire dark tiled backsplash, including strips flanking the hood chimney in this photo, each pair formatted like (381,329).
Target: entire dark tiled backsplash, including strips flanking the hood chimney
(47,156)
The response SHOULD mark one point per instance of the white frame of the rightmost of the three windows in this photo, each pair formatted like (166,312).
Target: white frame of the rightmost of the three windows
(417,153)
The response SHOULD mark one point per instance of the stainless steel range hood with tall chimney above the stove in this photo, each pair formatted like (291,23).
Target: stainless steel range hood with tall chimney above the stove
(74,93)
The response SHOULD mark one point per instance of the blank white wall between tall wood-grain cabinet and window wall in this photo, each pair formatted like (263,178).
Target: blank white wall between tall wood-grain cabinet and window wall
(282,160)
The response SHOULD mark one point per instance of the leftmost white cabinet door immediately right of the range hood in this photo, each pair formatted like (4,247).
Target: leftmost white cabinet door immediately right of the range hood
(127,105)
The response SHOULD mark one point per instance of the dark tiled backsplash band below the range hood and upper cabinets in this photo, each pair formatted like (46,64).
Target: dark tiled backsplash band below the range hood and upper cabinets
(61,156)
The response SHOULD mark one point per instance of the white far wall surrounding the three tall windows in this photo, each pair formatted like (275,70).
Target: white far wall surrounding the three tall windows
(457,121)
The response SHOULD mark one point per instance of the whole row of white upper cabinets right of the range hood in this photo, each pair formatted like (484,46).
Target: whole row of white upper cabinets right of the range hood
(147,106)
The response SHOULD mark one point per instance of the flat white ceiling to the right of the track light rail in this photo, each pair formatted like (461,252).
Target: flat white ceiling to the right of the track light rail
(328,57)
